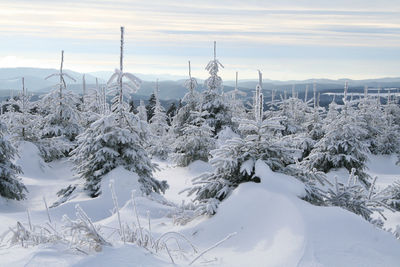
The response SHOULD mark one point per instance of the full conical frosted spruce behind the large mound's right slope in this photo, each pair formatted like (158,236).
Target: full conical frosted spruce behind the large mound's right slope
(343,144)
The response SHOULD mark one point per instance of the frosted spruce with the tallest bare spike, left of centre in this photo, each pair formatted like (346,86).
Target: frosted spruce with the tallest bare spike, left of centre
(116,139)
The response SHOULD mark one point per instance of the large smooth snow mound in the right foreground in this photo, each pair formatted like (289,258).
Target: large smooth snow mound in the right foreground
(276,228)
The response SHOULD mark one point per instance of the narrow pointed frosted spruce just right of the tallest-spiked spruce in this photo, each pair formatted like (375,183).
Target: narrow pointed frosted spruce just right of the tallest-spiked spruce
(159,141)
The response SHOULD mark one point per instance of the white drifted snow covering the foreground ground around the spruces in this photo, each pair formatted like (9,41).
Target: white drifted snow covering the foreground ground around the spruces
(273,226)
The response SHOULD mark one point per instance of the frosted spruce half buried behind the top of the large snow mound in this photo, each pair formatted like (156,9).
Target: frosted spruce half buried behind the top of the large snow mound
(234,162)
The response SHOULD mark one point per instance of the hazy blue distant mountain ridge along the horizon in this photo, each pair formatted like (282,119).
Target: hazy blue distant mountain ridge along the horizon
(10,79)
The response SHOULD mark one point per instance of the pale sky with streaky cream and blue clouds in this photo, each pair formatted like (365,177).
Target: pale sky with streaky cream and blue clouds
(287,39)
